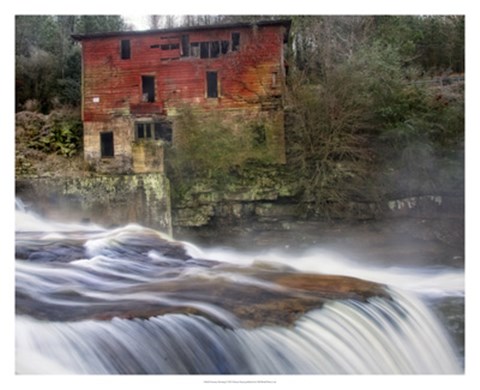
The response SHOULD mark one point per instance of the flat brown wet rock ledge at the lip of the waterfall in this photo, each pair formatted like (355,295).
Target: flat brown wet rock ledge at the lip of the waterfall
(271,297)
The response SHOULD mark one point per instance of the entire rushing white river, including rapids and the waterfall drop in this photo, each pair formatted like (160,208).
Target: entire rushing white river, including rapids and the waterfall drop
(130,301)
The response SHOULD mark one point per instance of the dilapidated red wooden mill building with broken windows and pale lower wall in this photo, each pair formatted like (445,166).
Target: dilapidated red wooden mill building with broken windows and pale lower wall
(133,84)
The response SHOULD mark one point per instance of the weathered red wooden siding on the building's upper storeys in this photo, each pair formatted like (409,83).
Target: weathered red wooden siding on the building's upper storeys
(113,86)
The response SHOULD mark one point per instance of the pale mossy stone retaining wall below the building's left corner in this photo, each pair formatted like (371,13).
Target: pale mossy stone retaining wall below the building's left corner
(107,200)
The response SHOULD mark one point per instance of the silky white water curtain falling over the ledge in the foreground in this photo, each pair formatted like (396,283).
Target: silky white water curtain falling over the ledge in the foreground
(396,336)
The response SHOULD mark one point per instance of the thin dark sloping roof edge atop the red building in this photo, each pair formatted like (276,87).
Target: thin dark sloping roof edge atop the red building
(284,22)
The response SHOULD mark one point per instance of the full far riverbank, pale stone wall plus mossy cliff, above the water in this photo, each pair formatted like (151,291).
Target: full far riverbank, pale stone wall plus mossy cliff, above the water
(255,210)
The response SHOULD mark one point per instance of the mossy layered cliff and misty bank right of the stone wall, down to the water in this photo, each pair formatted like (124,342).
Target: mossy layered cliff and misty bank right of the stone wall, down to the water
(268,210)
